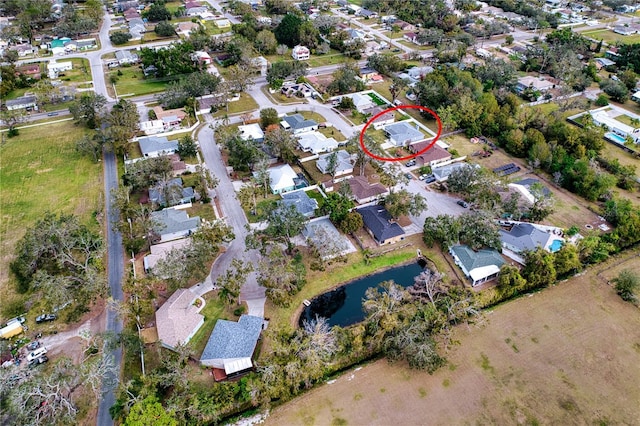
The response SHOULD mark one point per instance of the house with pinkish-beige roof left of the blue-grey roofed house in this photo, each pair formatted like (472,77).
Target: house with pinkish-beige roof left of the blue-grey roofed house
(178,319)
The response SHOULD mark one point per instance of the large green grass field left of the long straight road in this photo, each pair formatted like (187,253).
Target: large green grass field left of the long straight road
(41,171)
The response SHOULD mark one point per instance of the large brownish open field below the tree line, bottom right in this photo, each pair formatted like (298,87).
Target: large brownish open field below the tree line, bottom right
(543,359)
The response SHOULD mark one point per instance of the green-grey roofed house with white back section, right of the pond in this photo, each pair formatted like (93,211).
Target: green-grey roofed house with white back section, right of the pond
(479,266)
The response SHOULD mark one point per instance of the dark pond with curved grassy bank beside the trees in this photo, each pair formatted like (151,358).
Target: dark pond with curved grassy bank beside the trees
(343,306)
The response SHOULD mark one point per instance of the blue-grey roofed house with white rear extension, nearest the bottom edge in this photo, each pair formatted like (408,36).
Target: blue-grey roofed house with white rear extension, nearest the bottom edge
(231,345)
